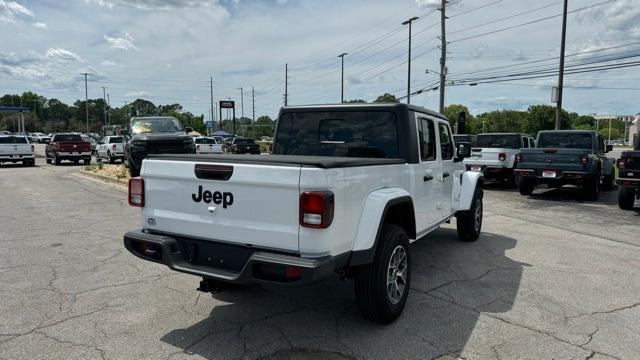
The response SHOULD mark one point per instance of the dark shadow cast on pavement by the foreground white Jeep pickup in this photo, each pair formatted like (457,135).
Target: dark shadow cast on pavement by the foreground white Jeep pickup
(453,282)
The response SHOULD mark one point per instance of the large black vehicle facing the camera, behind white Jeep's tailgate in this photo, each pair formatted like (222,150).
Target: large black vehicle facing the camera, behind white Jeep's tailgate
(155,135)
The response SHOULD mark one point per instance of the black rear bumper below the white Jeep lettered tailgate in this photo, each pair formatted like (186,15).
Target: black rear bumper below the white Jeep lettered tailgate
(229,263)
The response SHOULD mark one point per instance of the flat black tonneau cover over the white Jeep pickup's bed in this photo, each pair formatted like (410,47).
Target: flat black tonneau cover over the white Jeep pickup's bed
(324,162)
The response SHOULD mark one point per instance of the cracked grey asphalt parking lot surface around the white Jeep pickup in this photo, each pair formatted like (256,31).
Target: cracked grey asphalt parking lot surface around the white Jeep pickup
(551,277)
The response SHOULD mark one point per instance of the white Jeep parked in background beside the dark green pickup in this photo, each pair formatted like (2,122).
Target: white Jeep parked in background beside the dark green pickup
(495,154)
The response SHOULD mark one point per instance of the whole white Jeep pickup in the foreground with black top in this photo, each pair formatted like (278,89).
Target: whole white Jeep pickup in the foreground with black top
(346,190)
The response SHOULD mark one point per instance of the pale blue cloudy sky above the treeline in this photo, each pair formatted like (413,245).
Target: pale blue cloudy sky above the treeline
(166,50)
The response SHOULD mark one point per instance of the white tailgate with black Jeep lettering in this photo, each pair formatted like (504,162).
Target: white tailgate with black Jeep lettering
(256,206)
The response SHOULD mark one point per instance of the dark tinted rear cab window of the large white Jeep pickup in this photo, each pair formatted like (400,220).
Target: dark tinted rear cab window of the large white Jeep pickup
(340,133)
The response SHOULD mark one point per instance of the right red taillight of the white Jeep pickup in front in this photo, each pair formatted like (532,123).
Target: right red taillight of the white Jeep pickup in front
(316,209)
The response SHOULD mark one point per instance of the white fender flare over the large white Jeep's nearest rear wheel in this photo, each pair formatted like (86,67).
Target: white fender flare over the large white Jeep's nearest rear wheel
(371,221)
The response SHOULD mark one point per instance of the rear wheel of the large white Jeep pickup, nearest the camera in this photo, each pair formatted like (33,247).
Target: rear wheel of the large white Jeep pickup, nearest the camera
(382,287)
